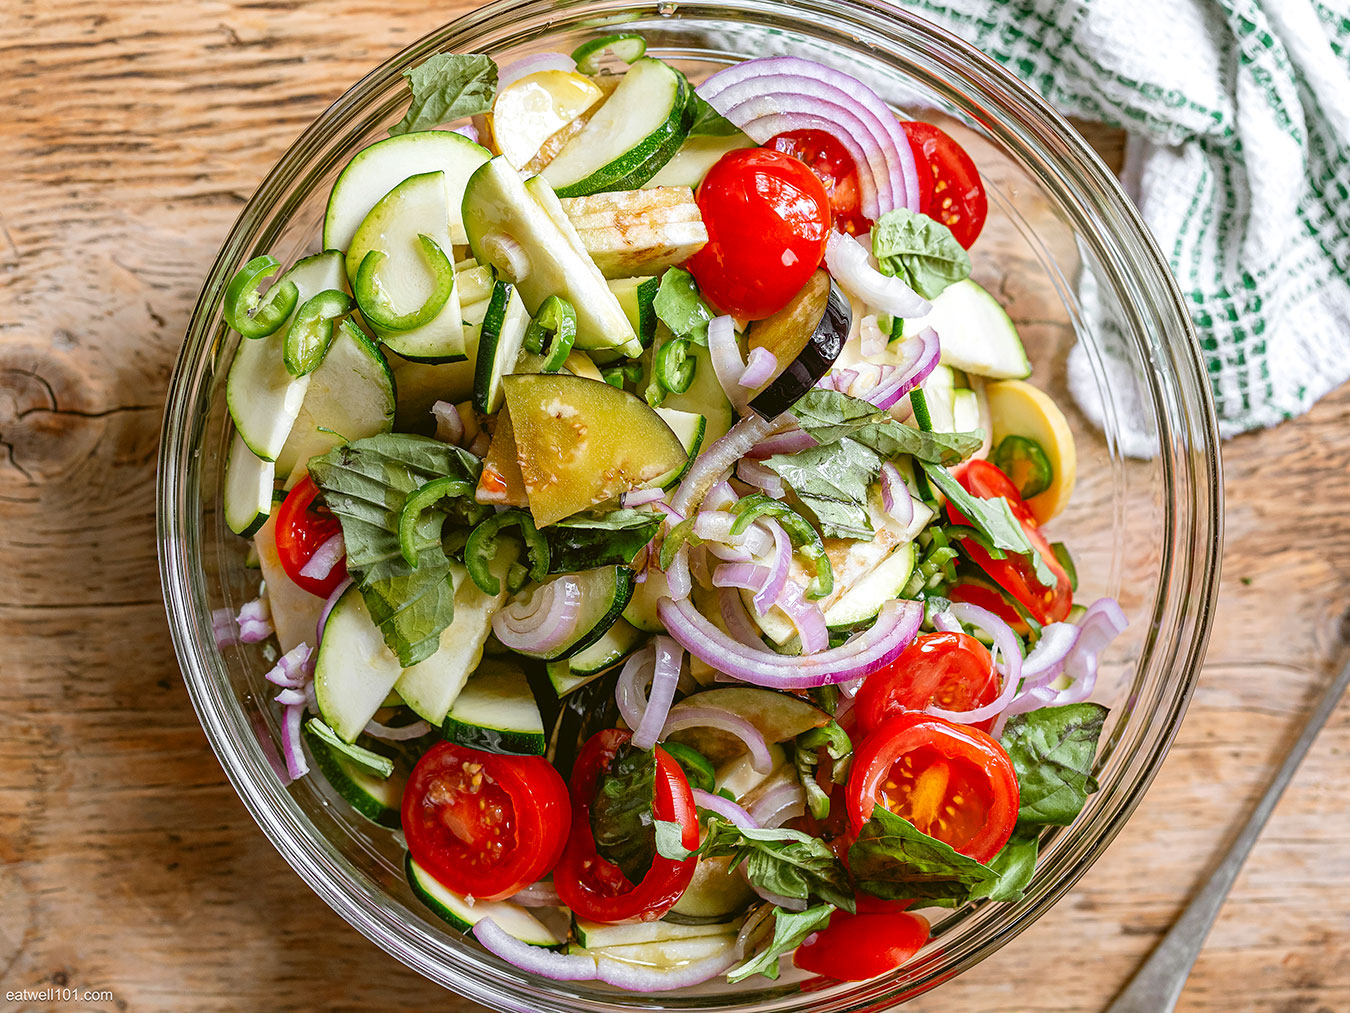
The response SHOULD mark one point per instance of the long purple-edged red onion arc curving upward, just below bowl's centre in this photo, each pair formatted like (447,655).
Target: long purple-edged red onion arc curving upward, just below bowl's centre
(896,626)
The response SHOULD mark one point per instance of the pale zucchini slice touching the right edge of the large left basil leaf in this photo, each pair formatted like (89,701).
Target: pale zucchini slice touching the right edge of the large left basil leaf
(430,688)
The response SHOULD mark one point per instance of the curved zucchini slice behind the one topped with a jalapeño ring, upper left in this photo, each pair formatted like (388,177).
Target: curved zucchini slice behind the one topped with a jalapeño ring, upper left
(377,170)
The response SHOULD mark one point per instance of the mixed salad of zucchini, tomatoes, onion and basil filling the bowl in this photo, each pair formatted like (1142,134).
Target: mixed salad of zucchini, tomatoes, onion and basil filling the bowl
(654,521)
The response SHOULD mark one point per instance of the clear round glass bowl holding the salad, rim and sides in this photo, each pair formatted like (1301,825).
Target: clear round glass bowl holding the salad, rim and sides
(1063,251)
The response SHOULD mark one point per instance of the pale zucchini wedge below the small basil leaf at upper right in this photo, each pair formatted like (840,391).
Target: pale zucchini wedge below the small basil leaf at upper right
(975,333)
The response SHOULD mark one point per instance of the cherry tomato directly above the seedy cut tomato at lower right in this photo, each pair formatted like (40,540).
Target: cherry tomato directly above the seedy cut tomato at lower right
(952,672)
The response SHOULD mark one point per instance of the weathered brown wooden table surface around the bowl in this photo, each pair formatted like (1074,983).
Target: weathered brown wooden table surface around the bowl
(133,133)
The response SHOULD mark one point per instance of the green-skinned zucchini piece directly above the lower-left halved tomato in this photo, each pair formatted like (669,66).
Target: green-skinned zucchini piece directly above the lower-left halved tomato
(497,712)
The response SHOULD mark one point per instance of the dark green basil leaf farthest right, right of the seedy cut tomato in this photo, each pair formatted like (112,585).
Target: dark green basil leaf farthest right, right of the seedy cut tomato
(1052,752)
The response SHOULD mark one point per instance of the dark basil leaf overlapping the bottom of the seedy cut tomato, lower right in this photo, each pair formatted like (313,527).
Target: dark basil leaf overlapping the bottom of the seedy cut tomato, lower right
(894,860)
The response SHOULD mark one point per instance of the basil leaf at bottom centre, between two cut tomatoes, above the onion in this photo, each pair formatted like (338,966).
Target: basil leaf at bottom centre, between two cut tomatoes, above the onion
(781,861)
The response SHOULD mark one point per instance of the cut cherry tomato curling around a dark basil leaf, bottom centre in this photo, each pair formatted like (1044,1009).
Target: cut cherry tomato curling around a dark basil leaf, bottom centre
(597,889)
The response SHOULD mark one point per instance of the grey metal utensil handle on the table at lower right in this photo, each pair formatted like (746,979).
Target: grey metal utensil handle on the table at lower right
(1158,985)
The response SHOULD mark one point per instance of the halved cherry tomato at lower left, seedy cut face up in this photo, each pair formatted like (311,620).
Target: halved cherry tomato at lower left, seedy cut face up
(484,823)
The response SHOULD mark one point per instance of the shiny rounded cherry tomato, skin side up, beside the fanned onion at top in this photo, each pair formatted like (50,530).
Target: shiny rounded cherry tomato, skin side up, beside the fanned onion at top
(767,219)
